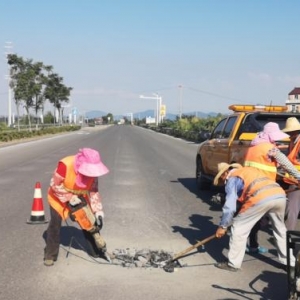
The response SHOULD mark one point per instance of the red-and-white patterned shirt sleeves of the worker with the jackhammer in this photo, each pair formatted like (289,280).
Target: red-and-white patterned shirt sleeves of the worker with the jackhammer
(57,186)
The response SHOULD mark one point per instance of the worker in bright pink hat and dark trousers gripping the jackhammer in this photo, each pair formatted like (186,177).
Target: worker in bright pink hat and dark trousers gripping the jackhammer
(75,176)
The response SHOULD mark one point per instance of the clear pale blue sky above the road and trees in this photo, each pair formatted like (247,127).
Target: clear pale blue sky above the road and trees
(111,51)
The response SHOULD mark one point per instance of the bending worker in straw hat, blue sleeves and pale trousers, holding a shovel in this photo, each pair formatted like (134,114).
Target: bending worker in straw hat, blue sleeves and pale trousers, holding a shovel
(257,195)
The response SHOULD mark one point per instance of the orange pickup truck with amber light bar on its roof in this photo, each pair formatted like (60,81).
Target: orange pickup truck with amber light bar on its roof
(231,137)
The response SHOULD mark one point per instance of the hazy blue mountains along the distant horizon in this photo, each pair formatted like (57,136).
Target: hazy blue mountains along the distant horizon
(148,113)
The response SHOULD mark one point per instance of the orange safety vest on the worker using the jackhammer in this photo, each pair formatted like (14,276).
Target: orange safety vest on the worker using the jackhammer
(70,186)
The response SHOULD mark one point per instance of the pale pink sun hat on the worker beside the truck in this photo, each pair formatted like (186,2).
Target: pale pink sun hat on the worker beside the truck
(271,133)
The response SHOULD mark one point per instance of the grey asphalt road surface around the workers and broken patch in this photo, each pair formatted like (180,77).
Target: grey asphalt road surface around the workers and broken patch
(150,201)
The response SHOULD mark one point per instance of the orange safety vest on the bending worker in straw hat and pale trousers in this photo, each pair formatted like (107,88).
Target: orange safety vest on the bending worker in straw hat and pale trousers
(257,187)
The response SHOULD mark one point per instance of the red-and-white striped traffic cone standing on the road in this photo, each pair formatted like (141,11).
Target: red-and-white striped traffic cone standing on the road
(37,211)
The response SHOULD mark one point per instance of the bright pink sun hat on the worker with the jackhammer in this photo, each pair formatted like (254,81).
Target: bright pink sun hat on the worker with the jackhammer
(88,163)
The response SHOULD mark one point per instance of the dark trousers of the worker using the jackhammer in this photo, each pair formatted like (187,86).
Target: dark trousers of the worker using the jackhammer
(53,238)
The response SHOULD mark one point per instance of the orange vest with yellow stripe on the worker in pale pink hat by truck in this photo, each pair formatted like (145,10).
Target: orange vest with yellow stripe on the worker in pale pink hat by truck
(257,157)
